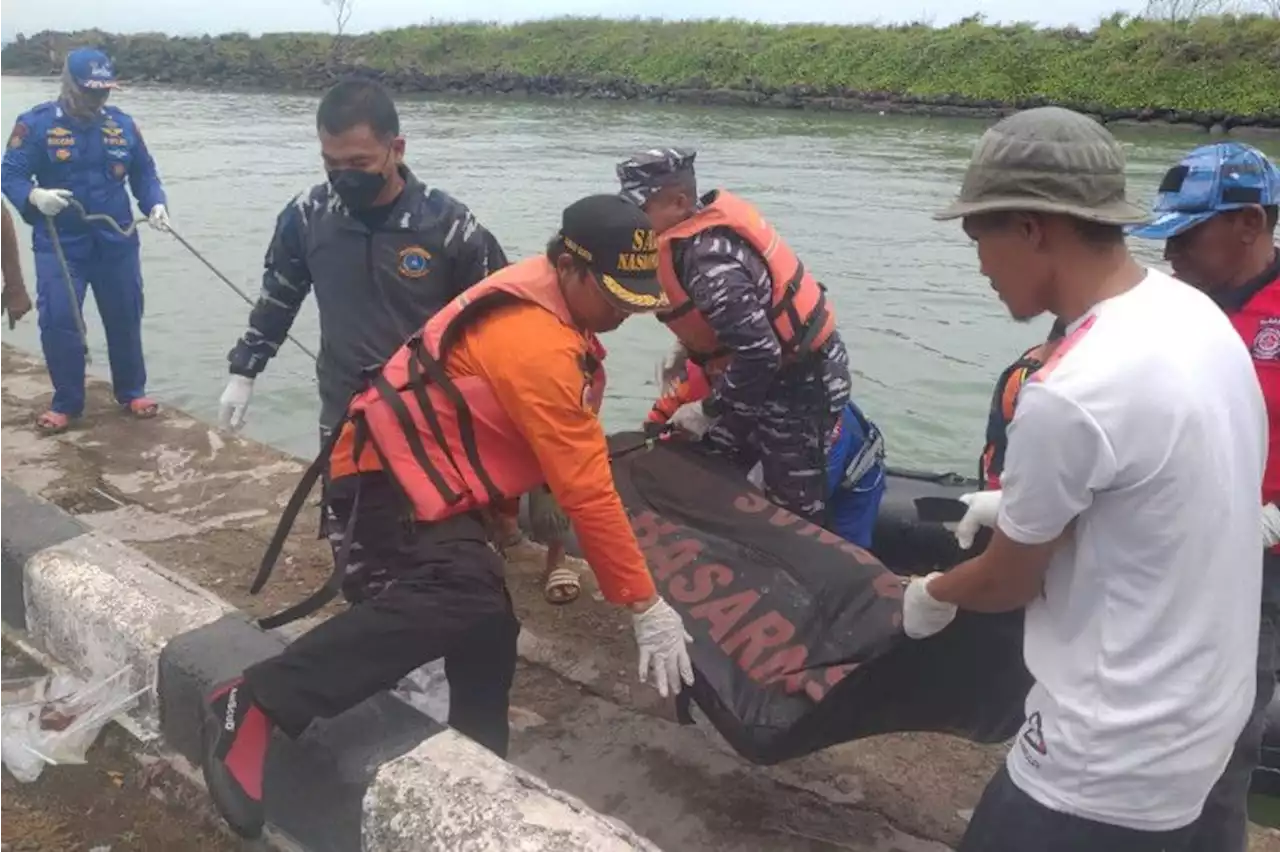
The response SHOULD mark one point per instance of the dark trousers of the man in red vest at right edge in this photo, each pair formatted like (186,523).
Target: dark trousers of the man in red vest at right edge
(1224,824)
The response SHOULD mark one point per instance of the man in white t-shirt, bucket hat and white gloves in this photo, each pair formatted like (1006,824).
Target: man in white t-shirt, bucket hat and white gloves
(1128,520)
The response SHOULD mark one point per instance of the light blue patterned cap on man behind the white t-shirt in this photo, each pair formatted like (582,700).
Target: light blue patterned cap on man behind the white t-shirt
(1212,180)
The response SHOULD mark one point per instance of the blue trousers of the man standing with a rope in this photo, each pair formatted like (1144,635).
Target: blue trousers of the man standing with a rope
(116,276)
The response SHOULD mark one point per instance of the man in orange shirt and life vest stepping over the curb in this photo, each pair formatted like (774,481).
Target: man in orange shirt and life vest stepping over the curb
(495,397)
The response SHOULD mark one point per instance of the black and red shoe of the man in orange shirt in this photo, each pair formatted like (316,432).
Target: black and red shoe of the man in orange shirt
(235,739)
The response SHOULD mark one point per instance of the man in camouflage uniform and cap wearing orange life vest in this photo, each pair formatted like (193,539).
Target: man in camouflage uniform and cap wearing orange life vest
(749,313)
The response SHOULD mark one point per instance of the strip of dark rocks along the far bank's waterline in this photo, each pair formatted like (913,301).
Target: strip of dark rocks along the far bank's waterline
(316,77)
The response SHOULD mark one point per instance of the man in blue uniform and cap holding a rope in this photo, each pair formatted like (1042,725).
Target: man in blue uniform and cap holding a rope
(79,149)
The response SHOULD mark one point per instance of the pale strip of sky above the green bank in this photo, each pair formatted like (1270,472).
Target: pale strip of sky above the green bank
(193,17)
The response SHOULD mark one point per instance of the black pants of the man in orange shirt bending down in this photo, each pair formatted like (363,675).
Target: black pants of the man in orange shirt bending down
(445,597)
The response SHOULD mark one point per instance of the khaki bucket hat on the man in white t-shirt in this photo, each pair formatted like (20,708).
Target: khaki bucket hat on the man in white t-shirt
(1048,161)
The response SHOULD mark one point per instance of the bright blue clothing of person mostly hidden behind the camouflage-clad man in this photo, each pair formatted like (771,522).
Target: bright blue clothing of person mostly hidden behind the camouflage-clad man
(856,478)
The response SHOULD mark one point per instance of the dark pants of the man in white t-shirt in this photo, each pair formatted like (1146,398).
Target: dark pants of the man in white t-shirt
(1009,821)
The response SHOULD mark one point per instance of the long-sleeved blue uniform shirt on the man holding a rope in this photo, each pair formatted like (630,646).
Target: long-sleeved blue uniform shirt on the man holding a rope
(93,158)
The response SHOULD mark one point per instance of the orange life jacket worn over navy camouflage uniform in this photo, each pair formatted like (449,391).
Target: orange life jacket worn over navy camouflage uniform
(801,315)
